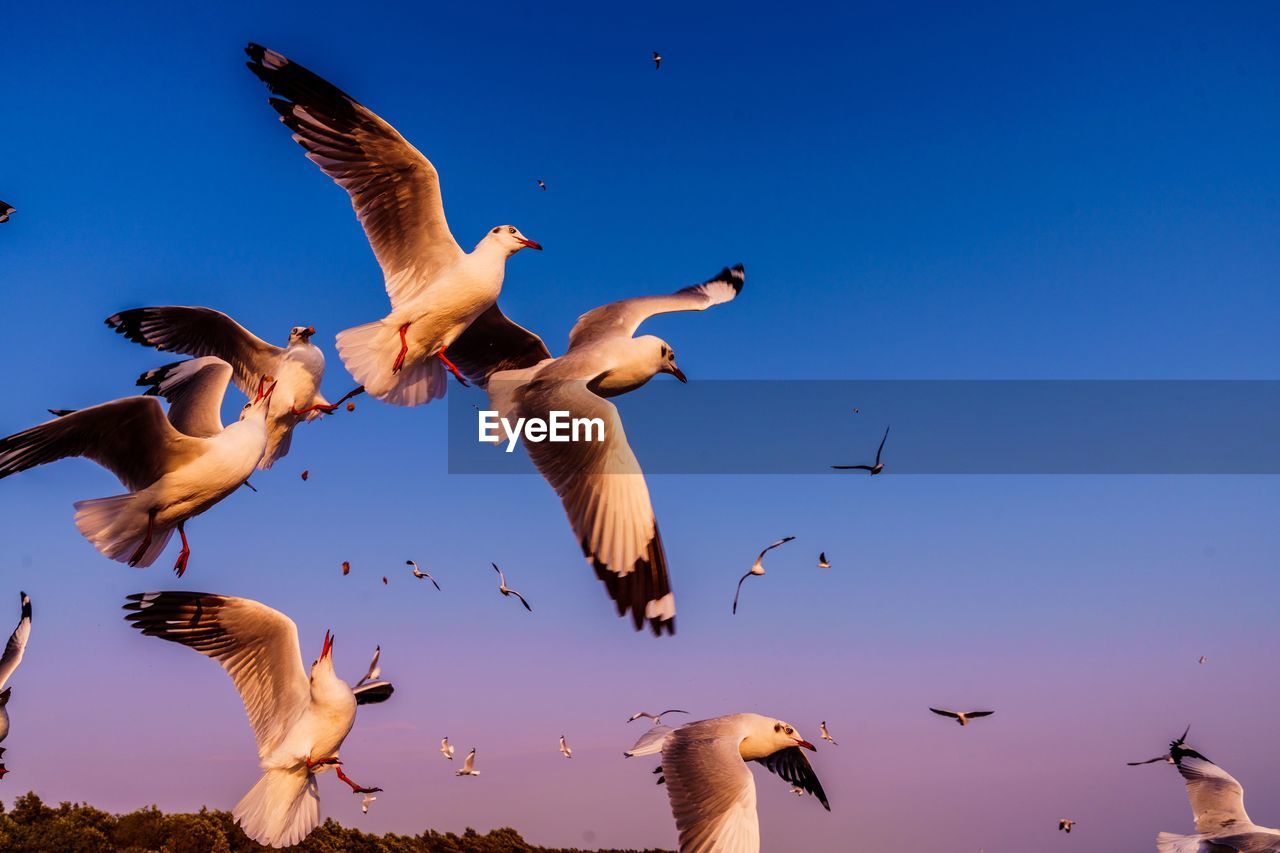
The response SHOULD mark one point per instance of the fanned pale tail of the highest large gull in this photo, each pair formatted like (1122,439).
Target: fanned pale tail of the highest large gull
(369,353)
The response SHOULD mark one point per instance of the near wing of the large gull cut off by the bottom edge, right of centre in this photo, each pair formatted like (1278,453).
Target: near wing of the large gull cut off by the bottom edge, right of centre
(711,790)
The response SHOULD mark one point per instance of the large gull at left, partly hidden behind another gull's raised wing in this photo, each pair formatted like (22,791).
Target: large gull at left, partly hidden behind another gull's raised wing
(298,367)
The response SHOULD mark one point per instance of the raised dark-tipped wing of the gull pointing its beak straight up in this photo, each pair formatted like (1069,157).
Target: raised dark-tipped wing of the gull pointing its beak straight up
(257,646)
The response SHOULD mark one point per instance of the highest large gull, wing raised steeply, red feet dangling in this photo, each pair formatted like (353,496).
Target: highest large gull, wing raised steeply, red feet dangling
(436,289)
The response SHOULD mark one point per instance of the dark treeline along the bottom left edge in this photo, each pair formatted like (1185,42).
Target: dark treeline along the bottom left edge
(31,827)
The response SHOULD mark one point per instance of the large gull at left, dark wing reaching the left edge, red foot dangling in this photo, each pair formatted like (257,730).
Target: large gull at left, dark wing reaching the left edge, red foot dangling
(173,467)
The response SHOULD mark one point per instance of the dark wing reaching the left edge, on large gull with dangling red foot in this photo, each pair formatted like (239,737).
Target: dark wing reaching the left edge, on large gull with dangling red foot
(130,437)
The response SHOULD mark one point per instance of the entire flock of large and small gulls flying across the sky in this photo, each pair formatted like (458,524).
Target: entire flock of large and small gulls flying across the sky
(444,321)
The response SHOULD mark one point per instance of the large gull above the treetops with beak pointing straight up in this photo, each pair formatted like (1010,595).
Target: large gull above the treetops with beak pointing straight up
(299,719)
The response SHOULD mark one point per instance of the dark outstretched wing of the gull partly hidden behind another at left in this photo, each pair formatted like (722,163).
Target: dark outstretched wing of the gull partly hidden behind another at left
(202,332)
